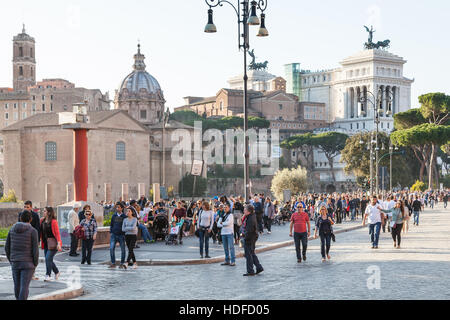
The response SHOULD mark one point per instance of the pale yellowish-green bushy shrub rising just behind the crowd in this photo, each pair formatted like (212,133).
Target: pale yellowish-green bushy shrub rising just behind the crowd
(289,179)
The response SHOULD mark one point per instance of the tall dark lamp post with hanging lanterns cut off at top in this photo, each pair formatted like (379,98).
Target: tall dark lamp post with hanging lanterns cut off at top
(249,17)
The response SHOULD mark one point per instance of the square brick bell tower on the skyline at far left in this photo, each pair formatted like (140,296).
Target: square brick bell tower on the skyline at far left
(24,62)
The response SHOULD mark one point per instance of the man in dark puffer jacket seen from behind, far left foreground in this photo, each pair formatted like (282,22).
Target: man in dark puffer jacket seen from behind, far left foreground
(23,254)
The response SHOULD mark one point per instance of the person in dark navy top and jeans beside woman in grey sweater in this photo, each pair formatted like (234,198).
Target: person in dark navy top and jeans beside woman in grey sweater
(117,236)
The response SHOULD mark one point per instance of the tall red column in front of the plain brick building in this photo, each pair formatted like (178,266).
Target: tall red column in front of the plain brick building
(80,164)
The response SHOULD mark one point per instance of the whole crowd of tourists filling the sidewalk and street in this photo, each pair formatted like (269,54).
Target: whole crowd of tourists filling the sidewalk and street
(228,221)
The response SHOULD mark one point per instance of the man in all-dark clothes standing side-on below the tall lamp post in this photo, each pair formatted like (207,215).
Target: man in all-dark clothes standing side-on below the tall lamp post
(250,237)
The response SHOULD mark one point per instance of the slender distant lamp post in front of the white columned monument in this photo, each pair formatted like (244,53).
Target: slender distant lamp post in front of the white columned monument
(377,104)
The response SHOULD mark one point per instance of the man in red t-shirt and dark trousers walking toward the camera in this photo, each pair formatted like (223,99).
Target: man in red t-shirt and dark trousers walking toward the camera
(300,222)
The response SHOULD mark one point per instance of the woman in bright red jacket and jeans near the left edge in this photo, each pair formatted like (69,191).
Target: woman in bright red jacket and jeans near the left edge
(50,242)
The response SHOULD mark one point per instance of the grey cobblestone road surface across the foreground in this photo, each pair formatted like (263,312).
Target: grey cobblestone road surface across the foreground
(417,271)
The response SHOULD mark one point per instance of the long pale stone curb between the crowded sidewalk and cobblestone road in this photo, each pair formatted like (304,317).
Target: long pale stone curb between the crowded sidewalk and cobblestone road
(218,259)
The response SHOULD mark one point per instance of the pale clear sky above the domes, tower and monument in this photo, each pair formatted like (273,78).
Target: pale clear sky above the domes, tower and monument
(92,42)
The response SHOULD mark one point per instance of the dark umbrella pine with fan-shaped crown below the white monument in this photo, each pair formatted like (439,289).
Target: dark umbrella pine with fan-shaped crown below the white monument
(331,144)
